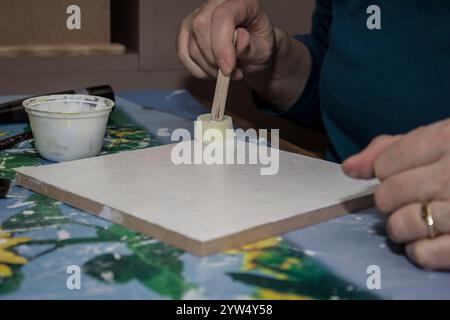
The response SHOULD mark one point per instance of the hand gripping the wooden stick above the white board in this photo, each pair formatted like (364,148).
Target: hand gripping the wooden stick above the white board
(205,40)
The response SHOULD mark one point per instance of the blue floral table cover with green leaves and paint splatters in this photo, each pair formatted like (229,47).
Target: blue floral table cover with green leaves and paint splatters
(43,242)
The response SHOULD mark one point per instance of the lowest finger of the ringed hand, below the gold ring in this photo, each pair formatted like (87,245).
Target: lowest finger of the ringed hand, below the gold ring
(431,253)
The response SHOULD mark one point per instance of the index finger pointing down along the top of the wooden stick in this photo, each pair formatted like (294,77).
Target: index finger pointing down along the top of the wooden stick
(224,20)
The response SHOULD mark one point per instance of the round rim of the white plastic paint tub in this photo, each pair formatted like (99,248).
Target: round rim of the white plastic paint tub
(32,104)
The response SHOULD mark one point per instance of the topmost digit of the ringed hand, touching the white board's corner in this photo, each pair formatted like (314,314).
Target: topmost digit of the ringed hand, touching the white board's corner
(361,165)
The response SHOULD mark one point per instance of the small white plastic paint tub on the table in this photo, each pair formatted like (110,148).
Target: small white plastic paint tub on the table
(68,127)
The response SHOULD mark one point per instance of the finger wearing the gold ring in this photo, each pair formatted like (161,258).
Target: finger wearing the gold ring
(407,224)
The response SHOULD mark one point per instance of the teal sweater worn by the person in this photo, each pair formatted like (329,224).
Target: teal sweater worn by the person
(371,81)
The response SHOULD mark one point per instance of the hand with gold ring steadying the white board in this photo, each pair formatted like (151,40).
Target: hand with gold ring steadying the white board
(414,172)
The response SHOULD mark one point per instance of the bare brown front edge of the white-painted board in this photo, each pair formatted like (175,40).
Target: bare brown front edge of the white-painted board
(187,244)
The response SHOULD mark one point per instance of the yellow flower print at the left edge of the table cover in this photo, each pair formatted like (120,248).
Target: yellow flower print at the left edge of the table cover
(7,257)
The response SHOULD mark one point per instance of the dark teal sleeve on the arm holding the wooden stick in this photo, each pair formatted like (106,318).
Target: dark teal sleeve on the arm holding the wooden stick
(306,111)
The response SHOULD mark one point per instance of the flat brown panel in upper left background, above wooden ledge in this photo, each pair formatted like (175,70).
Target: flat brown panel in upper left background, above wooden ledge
(45,22)
